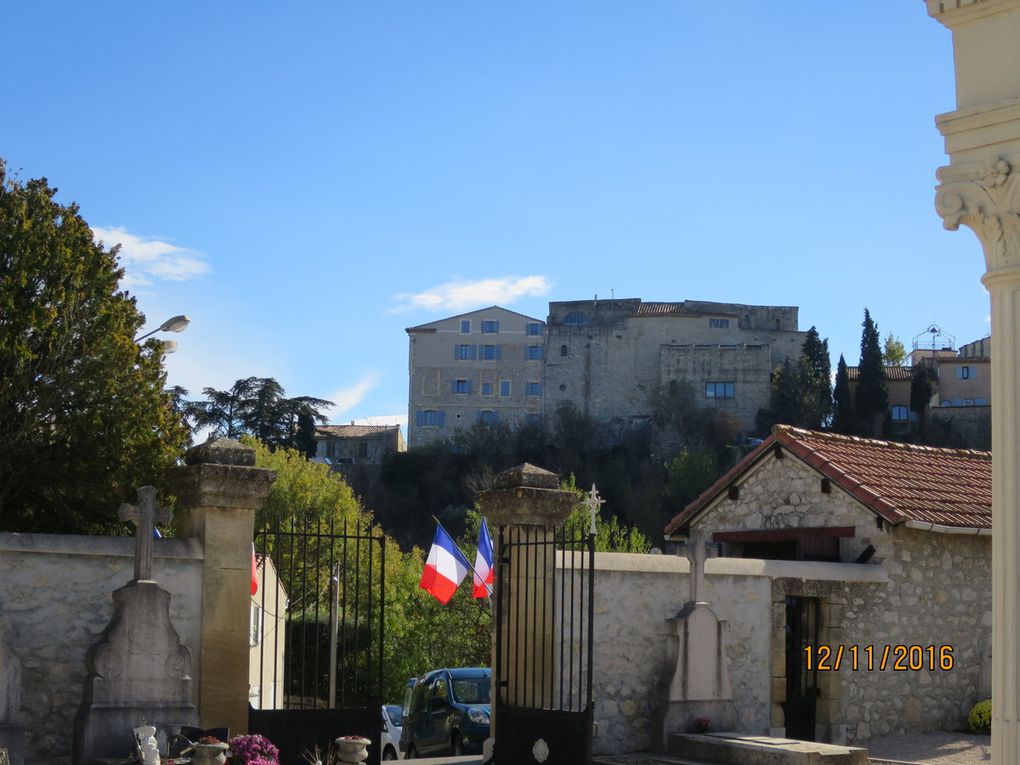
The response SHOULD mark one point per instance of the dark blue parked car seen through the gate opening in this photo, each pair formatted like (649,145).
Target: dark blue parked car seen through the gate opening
(448,715)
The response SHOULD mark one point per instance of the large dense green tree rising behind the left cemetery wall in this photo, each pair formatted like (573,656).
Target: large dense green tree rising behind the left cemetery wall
(84,417)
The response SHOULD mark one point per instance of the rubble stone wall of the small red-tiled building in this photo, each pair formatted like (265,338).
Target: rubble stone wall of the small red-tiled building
(939,593)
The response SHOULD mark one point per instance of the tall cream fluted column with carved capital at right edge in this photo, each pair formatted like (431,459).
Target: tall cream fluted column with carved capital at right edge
(980,189)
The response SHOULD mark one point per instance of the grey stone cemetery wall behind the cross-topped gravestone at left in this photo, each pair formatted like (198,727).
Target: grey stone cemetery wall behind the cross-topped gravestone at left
(56,602)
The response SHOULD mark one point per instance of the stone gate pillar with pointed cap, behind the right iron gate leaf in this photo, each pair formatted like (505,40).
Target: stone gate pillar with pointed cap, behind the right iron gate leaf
(528,506)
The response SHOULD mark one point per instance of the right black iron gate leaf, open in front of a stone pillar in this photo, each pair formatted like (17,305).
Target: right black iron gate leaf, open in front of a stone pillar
(544,707)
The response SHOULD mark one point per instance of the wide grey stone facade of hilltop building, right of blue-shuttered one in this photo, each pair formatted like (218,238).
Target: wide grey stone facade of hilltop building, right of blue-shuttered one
(614,359)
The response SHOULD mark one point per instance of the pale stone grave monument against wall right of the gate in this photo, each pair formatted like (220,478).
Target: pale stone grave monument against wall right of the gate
(696,658)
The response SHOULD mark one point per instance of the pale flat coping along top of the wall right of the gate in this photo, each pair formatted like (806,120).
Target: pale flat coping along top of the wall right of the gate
(673,565)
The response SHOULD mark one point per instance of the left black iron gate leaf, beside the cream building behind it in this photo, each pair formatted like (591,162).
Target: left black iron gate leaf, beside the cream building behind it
(318,636)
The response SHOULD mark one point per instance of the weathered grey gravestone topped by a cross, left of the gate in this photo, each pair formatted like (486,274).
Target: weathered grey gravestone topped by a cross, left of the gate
(138,673)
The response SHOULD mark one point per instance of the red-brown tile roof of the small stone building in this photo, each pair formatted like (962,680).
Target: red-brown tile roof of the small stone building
(899,482)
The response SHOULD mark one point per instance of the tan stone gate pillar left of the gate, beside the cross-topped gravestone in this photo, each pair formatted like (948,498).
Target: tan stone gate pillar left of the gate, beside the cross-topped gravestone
(219,490)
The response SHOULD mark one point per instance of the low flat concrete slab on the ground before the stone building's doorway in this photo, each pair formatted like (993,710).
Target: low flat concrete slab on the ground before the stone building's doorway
(742,749)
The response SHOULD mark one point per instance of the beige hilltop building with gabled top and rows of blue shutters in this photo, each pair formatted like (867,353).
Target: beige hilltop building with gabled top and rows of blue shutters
(482,367)
